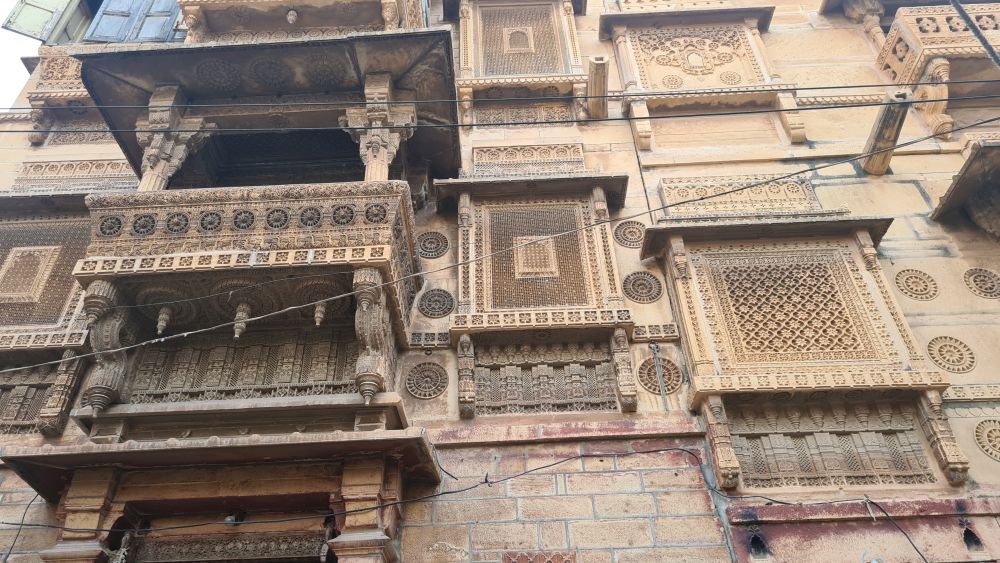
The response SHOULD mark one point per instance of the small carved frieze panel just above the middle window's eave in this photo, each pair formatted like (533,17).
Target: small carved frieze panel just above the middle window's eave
(528,160)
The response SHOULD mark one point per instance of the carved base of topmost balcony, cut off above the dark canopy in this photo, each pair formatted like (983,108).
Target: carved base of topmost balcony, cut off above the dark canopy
(213,21)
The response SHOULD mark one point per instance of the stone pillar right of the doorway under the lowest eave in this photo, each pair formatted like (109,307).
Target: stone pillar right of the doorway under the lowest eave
(367,536)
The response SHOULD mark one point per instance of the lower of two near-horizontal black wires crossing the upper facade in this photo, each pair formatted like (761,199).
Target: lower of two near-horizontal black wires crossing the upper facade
(450,125)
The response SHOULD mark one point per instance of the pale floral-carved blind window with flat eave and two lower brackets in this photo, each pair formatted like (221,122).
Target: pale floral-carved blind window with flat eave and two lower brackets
(716,51)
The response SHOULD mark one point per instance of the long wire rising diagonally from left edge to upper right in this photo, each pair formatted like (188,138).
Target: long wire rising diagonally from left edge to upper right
(597,223)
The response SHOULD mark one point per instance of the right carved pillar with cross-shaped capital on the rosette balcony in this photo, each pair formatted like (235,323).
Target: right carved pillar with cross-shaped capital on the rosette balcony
(380,127)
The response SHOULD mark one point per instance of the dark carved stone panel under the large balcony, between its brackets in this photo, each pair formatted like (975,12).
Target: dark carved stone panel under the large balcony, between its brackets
(260,364)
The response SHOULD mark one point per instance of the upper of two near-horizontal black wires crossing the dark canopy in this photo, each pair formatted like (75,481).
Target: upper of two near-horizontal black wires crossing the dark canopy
(615,96)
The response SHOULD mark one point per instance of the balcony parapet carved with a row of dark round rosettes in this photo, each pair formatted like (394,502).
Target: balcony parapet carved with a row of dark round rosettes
(359,225)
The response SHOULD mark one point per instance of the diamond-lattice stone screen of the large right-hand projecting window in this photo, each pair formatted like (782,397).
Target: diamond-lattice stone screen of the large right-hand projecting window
(794,306)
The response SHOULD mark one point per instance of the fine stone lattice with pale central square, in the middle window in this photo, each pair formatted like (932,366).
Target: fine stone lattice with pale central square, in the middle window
(550,273)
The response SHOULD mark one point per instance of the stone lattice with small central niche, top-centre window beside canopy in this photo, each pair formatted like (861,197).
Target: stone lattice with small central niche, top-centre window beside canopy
(538,53)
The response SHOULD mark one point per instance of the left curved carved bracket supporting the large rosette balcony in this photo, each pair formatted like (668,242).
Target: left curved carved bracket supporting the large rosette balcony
(110,329)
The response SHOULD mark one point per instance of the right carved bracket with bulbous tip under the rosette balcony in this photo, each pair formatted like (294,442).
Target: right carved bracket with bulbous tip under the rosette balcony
(373,328)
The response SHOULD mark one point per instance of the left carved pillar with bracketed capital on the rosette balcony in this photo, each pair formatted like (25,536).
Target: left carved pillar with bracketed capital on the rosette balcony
(167,138)
